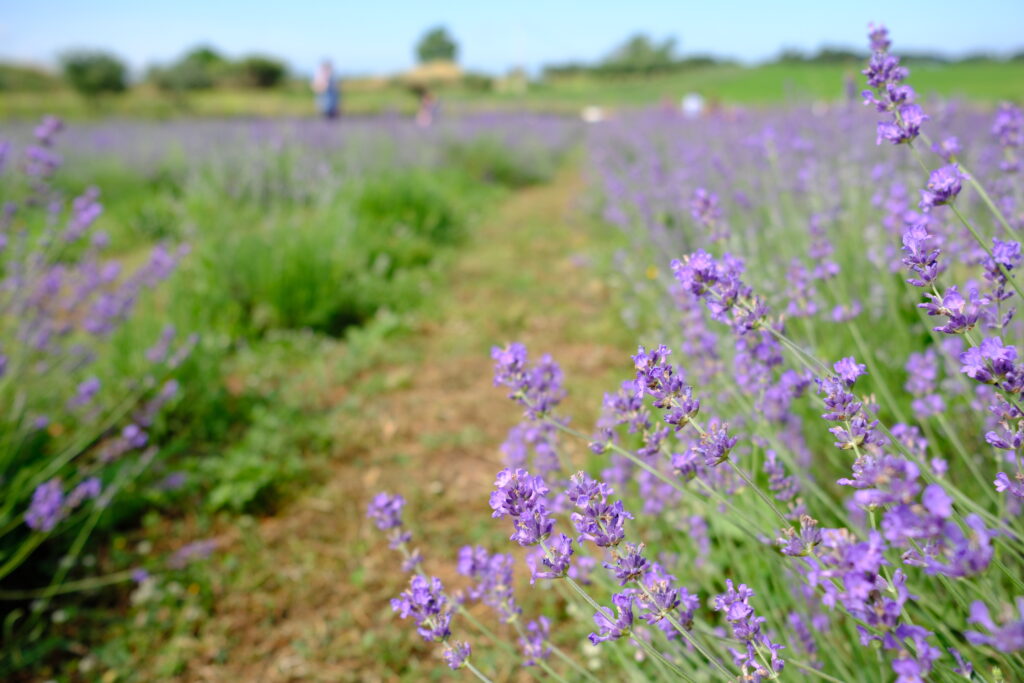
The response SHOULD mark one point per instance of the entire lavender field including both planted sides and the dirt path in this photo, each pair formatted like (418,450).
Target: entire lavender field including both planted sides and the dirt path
(723,397)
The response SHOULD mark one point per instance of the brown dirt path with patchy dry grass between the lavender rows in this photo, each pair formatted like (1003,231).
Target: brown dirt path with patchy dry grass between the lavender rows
(311,602)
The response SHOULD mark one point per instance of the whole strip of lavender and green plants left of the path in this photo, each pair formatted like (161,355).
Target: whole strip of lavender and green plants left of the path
(105,368)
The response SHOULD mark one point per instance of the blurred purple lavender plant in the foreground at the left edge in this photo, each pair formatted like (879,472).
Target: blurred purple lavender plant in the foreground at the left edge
(82,388)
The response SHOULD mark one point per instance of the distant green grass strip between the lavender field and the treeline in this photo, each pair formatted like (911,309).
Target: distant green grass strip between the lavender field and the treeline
(984,82)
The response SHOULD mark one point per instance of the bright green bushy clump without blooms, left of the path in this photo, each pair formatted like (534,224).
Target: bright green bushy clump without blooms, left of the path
(333,270)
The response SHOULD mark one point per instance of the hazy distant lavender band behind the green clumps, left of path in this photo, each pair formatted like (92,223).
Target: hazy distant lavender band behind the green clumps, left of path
(310,160)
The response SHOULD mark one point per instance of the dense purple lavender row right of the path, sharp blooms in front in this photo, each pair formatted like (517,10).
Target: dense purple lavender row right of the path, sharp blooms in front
(825,477)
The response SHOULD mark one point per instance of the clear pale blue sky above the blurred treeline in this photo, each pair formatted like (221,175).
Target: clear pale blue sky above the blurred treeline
(378,36)
